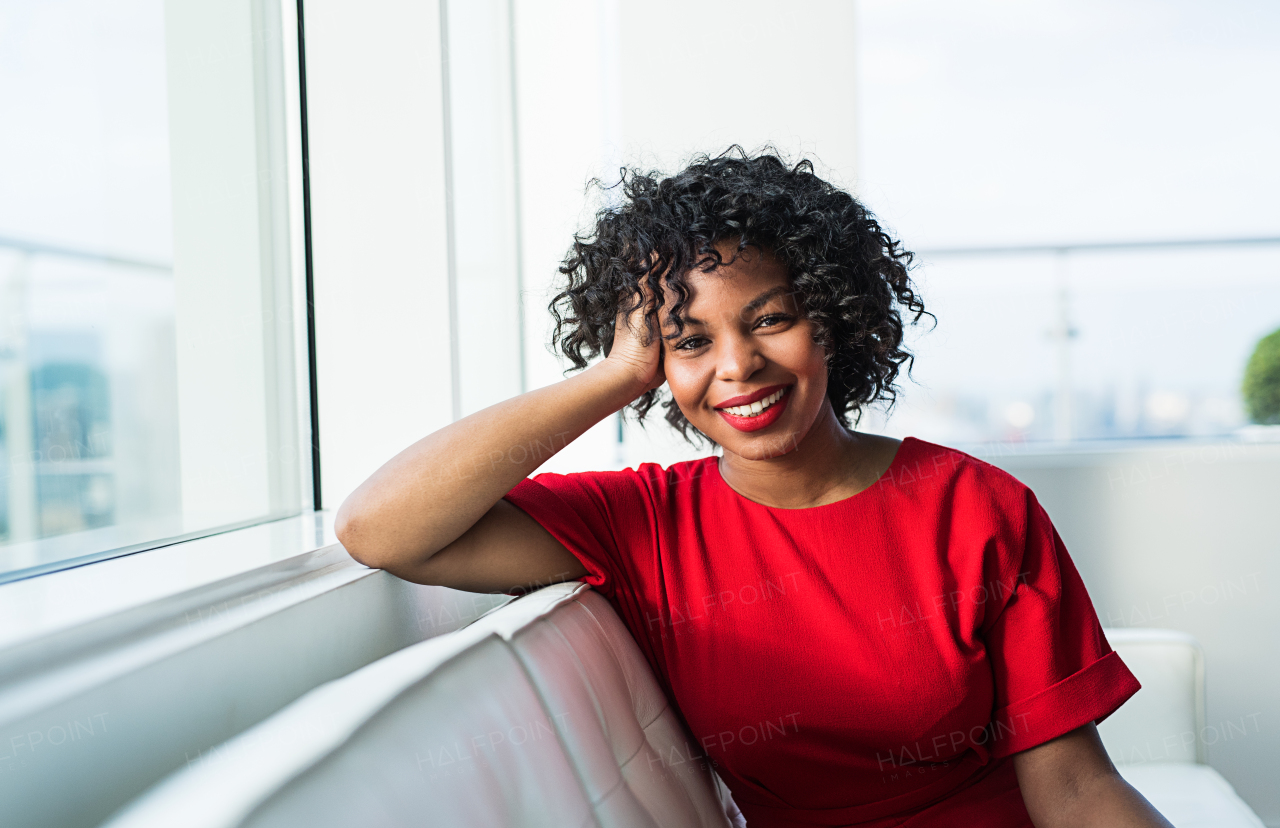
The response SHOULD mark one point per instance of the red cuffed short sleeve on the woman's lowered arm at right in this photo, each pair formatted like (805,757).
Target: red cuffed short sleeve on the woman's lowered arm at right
(1054,669)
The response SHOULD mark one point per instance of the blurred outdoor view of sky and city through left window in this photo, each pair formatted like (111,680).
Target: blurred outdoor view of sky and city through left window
(90,426)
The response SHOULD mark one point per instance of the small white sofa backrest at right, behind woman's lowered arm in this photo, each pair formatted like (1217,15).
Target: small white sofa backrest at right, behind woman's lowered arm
(1164,721)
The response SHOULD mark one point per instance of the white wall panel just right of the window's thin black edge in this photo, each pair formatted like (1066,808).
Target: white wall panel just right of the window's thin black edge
(380,244)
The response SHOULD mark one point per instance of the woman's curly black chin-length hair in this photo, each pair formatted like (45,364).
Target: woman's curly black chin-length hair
(849,276)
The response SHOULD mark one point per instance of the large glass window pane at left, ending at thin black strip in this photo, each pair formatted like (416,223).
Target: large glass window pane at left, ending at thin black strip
(148,363)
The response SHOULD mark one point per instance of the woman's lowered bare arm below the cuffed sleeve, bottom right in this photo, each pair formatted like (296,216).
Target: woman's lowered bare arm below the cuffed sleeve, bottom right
(1069,783)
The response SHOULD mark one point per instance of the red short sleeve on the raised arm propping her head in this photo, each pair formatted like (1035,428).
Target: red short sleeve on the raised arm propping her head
(597,516)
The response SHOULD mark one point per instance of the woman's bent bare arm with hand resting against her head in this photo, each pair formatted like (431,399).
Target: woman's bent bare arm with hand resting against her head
(435,513)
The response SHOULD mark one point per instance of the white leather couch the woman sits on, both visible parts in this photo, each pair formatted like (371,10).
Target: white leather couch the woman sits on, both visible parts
(546,713)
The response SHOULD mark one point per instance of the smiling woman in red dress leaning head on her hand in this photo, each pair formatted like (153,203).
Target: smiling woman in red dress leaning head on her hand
(861,632)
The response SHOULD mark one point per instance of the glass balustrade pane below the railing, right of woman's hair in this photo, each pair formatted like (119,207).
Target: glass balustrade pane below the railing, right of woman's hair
(1153,347)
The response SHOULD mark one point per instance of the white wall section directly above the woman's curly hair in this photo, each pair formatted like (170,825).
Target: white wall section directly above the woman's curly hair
(697,80)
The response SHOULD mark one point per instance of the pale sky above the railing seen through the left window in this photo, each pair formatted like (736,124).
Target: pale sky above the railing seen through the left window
(85,138)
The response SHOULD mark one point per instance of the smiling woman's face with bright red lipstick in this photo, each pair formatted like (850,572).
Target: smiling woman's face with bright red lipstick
(746,370)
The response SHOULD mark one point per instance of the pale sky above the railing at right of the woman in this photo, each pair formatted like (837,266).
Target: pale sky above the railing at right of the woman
(998,122)
